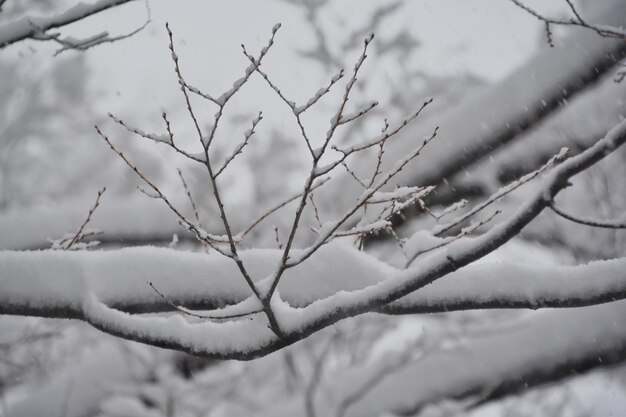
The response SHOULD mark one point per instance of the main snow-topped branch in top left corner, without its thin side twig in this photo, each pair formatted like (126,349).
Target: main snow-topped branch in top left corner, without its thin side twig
(32,27)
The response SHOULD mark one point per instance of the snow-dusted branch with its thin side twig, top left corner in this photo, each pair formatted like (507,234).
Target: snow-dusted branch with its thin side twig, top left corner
(30,27)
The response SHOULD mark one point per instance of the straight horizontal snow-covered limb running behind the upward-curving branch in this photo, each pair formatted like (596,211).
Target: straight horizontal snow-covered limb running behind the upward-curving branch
(56,284)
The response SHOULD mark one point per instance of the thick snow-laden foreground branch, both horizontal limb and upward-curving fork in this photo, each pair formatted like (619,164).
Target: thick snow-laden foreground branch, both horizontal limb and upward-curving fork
(338,282)
